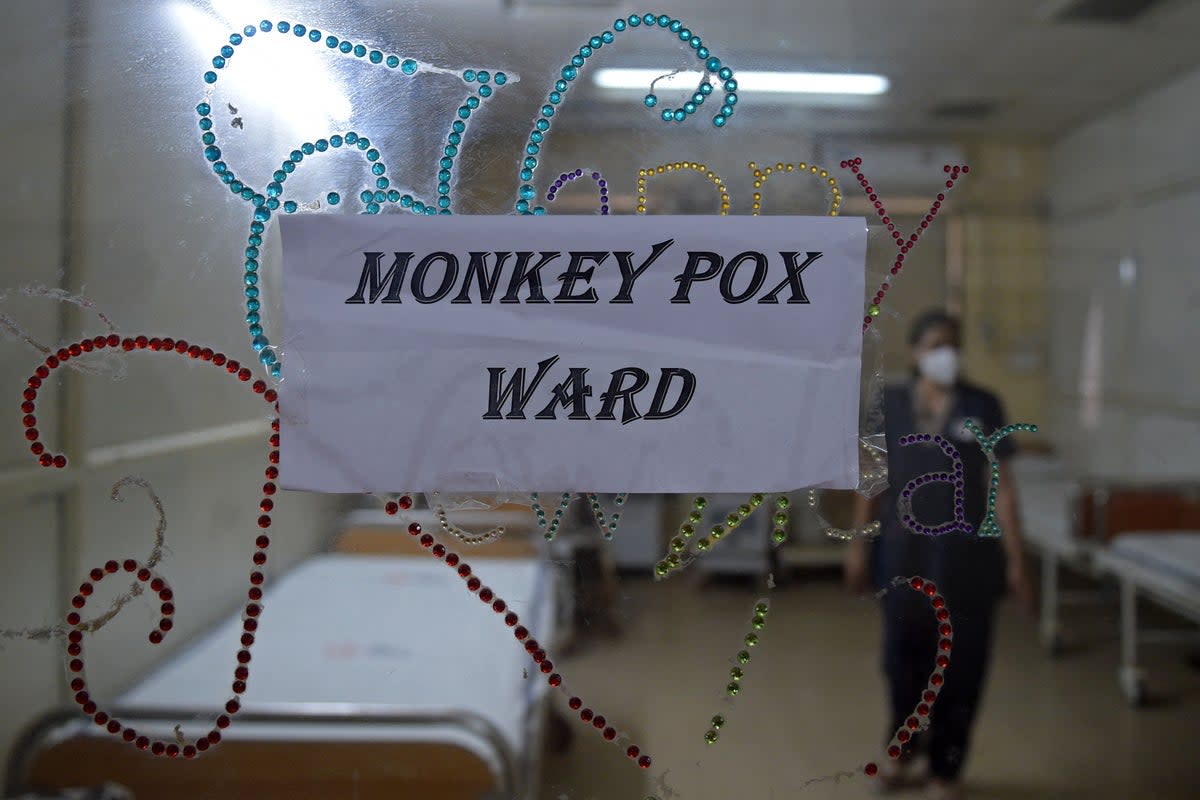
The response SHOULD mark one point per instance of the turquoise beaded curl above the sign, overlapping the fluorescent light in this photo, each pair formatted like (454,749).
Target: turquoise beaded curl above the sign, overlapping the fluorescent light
(572,71)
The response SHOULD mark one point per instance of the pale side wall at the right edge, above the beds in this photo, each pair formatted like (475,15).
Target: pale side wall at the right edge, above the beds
(1125,194)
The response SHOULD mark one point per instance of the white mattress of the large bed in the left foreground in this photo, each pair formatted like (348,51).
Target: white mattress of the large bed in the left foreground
(398,635)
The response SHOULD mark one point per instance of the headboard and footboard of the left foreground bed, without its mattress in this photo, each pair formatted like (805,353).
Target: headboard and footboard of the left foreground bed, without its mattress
(285,753)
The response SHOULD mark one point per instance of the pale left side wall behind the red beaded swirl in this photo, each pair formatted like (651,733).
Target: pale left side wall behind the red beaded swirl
(109,196)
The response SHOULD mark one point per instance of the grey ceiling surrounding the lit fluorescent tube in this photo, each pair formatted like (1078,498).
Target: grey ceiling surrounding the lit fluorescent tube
(1040,75)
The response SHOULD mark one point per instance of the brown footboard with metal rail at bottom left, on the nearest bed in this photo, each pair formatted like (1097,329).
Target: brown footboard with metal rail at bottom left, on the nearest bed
(63,750)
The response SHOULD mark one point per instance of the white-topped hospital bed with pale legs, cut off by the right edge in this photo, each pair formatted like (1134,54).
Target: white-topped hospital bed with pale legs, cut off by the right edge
(1163,568)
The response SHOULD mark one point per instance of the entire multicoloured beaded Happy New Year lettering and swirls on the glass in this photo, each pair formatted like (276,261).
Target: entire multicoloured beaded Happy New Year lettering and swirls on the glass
(375,199)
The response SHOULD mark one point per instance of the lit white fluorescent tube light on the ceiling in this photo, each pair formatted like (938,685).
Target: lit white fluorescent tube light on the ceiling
(790,83)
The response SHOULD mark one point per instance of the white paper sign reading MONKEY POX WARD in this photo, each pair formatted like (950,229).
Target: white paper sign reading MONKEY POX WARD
(571,353)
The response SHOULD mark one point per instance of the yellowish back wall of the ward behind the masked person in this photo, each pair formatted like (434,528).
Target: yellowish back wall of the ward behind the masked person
(986,258)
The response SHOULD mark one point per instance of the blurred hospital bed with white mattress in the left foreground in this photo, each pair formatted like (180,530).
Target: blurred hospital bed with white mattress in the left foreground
(376,675)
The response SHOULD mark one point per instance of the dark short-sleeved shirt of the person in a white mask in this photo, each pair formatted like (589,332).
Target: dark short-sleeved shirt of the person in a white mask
(968,568)
